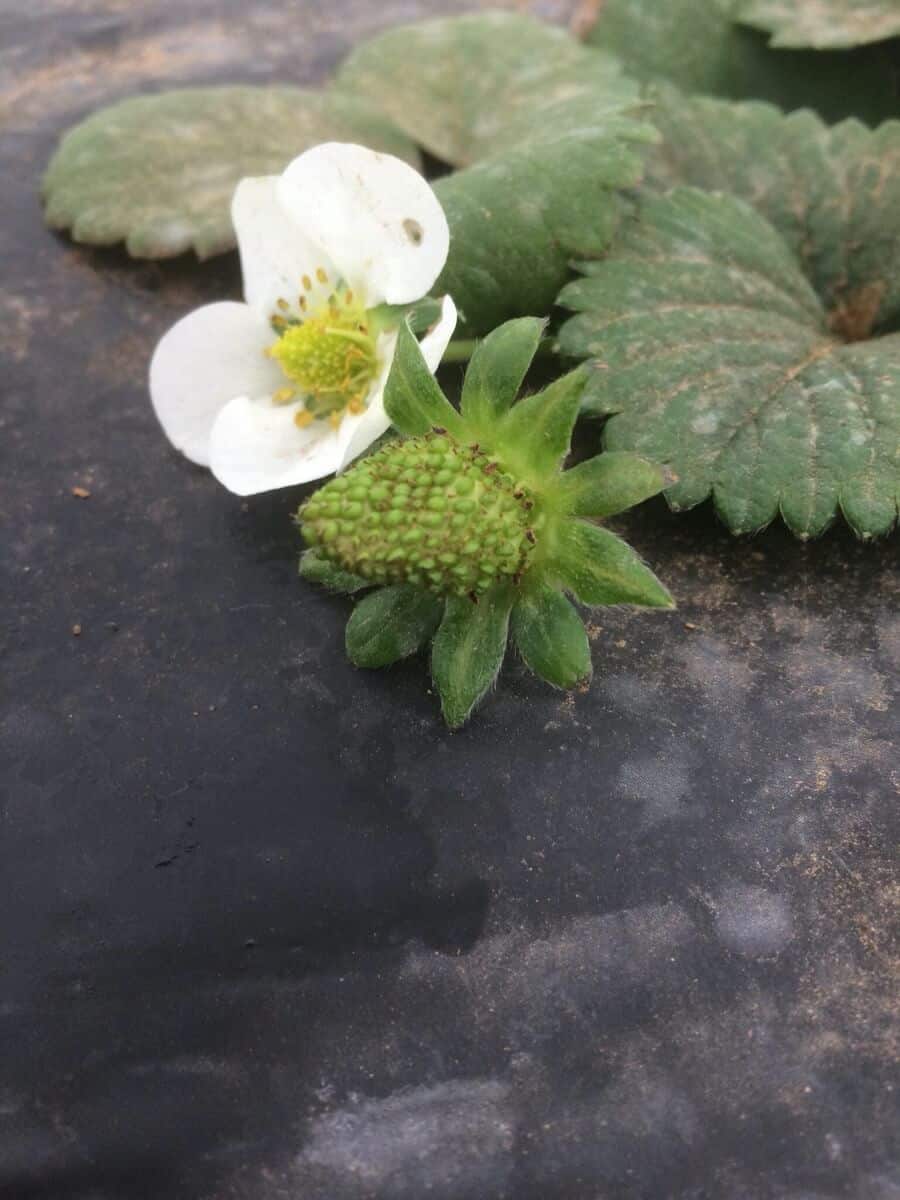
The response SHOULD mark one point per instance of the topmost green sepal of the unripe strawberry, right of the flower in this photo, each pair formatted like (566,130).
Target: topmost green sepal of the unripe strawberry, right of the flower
(497,369)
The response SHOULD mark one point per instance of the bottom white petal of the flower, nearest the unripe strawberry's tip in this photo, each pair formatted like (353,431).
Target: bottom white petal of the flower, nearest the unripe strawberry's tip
(256,447)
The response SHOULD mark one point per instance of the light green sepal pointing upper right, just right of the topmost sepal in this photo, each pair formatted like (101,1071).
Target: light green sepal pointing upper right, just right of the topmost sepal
(537,431)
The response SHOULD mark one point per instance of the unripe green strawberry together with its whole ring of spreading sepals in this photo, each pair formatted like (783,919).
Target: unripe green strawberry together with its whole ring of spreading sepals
(472,533)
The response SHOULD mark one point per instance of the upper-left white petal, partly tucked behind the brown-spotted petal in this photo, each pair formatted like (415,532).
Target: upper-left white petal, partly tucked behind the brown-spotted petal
(277,253)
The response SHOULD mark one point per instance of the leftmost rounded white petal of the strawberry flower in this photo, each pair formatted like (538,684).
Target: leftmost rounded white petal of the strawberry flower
(205,361)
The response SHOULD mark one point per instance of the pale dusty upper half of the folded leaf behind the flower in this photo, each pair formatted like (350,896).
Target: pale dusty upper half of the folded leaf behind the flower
(469,88)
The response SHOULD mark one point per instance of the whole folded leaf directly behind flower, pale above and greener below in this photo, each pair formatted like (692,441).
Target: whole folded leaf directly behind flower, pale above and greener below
(549,129)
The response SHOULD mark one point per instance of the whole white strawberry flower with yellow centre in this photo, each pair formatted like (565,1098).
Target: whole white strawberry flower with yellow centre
(289,387)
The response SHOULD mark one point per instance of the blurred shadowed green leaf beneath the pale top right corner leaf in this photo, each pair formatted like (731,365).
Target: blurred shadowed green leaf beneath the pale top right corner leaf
(698,46)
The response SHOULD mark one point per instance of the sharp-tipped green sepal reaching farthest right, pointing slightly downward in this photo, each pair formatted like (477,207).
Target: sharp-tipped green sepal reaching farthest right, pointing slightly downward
(601,569)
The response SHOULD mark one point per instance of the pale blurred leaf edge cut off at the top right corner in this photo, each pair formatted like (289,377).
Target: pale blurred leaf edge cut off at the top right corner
(823,25)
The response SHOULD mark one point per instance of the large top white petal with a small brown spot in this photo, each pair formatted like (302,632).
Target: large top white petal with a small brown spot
(376,218)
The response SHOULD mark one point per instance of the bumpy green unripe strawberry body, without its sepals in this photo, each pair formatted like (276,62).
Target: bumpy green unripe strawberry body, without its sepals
(427,512)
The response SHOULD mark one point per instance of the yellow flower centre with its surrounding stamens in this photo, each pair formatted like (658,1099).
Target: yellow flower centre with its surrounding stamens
(329,357)
